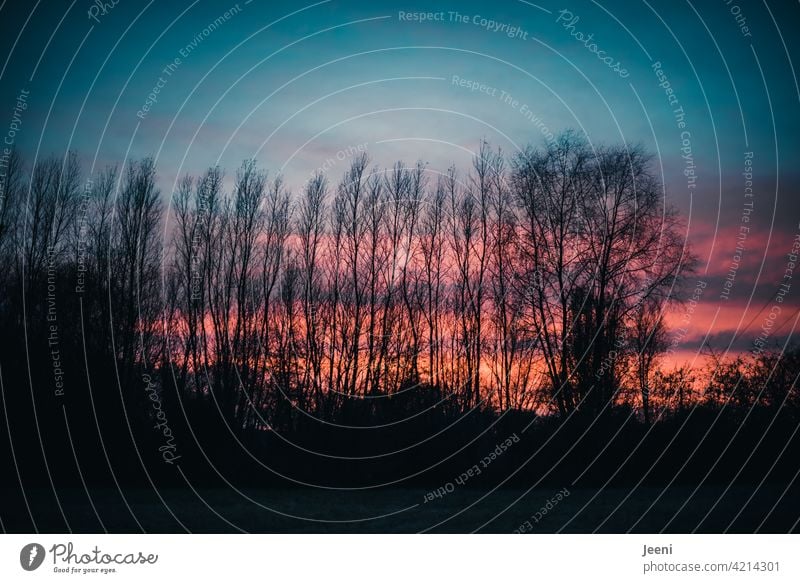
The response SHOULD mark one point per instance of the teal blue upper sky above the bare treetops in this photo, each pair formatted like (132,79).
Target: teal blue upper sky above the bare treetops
(277,76)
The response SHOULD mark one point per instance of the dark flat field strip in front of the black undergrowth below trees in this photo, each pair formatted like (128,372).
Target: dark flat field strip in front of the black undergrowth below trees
(645,510)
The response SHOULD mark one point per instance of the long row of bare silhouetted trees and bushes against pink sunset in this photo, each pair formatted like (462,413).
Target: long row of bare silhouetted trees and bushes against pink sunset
(400,299)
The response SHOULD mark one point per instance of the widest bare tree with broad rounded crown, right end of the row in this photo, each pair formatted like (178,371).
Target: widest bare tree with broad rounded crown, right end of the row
(598,241)
